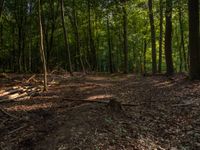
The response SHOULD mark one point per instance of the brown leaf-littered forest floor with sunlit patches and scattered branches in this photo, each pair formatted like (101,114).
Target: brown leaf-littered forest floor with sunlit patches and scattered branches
(164,112)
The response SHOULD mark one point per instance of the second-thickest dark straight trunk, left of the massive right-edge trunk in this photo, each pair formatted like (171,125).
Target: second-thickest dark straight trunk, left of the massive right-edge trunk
(168,38)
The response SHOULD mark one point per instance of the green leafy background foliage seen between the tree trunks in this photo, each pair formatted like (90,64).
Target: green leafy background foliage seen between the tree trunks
(20,33)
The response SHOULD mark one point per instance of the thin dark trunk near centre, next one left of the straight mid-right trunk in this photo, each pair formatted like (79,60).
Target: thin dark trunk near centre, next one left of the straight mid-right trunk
(109,46)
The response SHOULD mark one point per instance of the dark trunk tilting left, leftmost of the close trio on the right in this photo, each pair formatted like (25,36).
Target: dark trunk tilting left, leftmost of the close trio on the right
(153,37)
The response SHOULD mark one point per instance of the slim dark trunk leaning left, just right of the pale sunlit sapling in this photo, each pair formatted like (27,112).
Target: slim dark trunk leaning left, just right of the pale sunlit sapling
(65,37)
